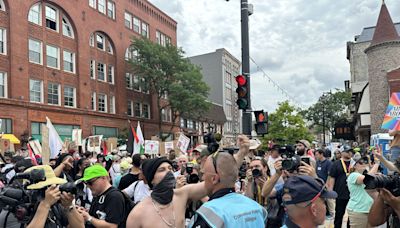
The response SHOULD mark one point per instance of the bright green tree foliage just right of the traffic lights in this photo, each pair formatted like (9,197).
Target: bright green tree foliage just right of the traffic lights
(286,125)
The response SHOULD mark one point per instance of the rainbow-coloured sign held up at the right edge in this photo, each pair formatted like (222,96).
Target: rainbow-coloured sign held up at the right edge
(391,120)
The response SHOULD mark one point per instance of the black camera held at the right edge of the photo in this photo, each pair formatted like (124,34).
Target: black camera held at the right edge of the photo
(390,182)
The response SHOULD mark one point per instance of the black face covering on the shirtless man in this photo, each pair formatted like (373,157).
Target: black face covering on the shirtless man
(164,191)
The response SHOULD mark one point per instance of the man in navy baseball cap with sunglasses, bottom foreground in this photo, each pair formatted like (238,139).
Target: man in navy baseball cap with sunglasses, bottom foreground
(304,199)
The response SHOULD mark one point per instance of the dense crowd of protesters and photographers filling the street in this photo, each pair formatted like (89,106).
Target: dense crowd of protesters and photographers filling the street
(283,186)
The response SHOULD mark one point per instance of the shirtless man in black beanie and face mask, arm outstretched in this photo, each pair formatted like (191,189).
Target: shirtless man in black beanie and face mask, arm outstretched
(166,206)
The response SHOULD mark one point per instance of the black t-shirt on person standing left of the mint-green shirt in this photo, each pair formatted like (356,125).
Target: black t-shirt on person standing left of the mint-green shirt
(337,172)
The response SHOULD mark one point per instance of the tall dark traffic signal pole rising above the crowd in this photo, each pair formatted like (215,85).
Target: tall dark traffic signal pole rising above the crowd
(246,118)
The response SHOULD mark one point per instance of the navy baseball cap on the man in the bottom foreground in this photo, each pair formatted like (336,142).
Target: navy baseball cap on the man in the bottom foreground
(298,189)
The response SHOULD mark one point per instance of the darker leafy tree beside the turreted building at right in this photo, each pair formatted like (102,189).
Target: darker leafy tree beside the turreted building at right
(330,108)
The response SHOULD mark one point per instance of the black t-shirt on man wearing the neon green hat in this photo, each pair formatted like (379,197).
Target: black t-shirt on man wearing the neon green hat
(109,206)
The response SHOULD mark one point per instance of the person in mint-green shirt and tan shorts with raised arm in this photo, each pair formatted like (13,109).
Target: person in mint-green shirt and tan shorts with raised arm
(360,201)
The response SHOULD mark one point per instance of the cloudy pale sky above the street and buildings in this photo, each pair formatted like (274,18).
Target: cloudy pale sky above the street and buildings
(299,44)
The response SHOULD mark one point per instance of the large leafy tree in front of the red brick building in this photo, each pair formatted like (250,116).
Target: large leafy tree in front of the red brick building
(167,73)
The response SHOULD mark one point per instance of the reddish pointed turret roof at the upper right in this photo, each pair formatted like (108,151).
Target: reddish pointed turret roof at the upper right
(385,30)
